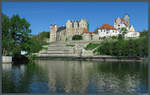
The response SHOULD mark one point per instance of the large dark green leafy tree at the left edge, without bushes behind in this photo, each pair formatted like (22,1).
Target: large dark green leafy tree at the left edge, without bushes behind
(15,33)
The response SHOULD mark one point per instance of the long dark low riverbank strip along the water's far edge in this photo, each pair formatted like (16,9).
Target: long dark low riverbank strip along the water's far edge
(98,58)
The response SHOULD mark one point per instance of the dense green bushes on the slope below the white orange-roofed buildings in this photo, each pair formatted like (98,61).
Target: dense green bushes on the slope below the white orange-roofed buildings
(128,47)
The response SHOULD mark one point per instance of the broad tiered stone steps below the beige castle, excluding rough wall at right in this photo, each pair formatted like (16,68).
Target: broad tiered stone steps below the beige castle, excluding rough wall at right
(57,49)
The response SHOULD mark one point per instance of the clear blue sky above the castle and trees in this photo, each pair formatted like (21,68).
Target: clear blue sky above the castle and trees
(41,14)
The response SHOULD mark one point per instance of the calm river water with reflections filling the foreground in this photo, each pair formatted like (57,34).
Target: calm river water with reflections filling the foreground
(56,76)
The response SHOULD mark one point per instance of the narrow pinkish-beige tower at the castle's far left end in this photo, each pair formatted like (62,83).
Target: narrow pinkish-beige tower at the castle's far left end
(53,30)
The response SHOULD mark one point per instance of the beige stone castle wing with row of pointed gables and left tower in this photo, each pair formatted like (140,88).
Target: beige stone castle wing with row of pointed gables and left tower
(64,33)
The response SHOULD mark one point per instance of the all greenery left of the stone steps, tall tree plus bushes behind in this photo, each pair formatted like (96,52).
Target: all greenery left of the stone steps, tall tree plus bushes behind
(16,37)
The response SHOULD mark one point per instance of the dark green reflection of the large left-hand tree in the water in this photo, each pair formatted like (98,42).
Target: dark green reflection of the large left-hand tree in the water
(19,77)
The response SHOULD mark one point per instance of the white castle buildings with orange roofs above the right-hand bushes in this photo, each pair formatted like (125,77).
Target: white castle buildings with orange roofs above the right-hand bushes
(107,30)
